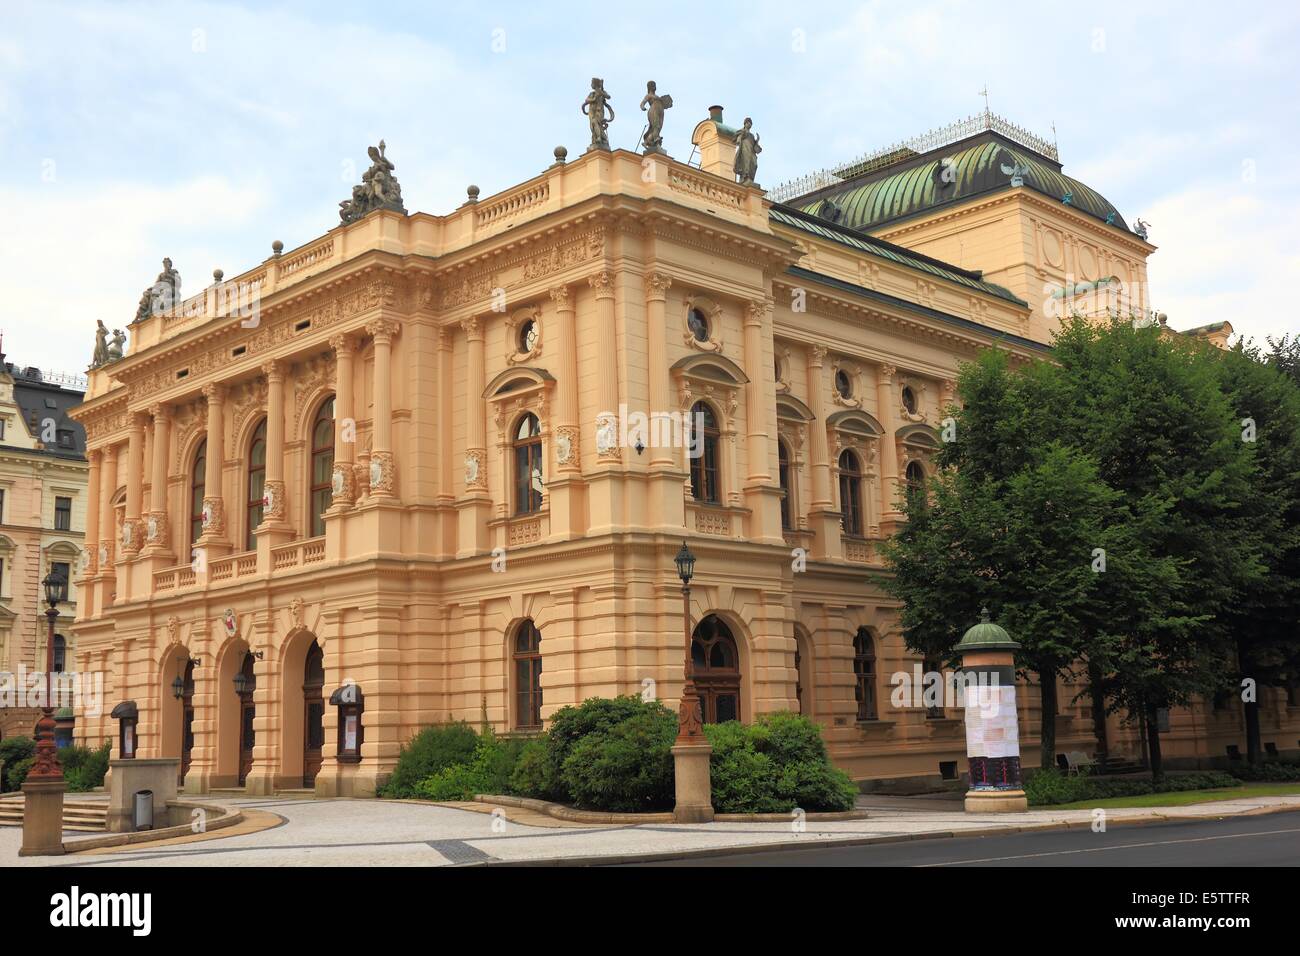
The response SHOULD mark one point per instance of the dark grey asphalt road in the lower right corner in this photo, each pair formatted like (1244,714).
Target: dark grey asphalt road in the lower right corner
(1264,841)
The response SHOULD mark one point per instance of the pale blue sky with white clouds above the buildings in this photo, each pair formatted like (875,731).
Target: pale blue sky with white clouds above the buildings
(203,132)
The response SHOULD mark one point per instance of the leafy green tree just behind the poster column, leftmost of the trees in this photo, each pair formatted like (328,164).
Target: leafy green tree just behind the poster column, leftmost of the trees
(1011,524)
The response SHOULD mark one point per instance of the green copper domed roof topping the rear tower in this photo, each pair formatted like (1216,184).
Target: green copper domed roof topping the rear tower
(925,183)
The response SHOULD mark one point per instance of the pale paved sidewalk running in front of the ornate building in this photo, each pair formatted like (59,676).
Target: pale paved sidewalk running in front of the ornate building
(379,833)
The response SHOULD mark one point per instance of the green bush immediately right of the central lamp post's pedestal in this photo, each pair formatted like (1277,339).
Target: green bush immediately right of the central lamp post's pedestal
(774,765)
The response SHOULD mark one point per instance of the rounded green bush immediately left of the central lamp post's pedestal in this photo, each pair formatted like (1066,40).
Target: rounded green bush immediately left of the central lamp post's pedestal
(627,767)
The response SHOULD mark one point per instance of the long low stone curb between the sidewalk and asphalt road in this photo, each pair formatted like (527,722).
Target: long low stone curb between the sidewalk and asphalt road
(751,849)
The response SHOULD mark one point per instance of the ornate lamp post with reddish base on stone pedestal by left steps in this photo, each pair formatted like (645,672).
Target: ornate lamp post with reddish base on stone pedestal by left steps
(44,789)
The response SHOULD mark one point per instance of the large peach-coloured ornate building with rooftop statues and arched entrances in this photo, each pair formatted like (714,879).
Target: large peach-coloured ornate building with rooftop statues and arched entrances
(391,498)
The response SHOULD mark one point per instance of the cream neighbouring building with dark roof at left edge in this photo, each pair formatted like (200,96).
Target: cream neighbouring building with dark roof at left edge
(42,520)
